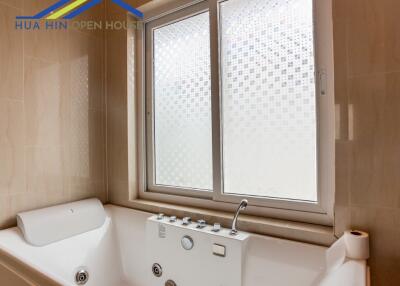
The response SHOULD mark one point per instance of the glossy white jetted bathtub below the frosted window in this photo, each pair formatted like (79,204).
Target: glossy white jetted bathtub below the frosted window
(115,255)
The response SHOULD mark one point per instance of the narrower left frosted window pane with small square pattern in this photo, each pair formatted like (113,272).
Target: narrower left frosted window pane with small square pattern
(182,104)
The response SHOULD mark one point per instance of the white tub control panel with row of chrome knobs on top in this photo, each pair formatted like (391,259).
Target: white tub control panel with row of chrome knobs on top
(178,248)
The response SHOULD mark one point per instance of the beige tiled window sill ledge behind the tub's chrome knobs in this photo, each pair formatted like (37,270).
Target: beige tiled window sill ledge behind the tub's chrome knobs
(303,232)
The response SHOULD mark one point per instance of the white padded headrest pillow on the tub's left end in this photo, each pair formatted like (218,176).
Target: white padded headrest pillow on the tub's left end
(44,226)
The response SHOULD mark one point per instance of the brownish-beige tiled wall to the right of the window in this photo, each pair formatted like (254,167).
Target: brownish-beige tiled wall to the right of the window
(367,77)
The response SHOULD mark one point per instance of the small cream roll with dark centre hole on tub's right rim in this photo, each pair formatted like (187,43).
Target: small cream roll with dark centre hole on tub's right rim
(357,244)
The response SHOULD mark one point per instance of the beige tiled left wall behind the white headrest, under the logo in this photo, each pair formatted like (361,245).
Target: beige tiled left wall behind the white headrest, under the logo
(52,113)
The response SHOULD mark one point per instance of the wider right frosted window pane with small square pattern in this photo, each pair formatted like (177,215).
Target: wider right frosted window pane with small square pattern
(268,98)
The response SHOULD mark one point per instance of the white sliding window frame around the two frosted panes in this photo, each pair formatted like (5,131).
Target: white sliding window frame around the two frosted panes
(316,212)
